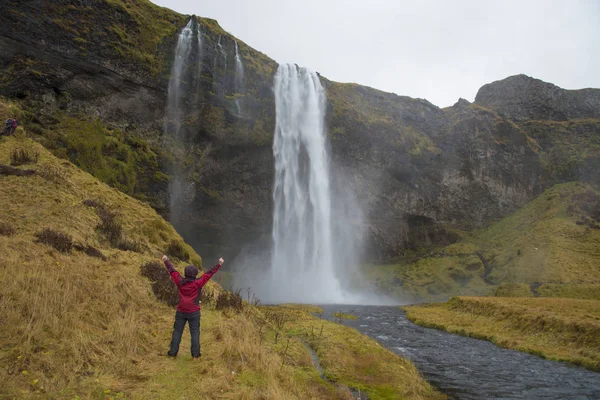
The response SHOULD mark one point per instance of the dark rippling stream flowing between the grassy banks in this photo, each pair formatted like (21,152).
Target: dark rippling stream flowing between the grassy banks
(466,368)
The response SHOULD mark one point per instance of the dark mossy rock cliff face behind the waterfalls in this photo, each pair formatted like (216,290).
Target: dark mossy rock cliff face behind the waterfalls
(421,174)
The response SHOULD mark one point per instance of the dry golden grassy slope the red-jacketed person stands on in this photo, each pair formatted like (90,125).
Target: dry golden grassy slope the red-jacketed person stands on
(80,321)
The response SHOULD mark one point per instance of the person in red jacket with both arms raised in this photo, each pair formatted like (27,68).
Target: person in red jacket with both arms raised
(190,290)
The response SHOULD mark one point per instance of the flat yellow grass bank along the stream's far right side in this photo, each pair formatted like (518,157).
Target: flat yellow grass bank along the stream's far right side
(554,328)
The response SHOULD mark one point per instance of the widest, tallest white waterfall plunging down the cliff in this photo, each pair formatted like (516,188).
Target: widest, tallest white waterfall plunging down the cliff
(302,267)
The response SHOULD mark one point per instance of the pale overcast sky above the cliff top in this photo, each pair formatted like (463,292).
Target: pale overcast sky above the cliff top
(437,50)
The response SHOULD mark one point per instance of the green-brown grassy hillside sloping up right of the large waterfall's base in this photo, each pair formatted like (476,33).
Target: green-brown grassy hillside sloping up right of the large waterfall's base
(549,246)
